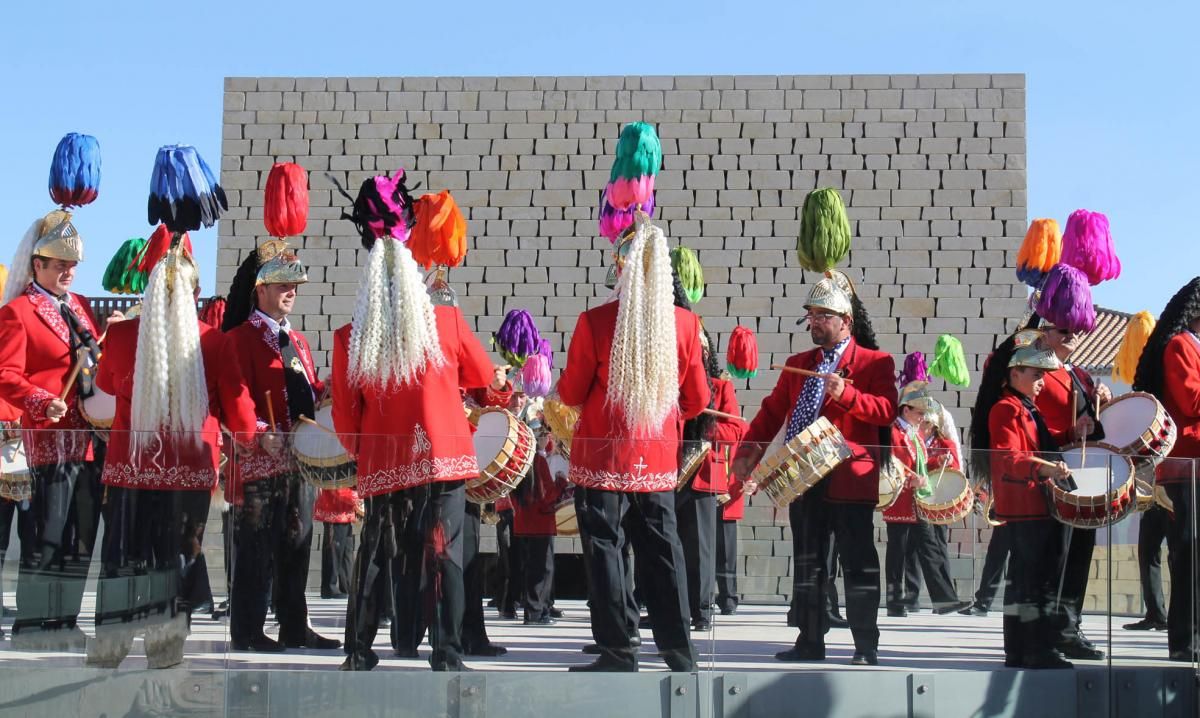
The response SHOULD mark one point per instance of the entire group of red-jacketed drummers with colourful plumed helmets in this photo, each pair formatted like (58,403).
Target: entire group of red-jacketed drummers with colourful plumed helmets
(641,435)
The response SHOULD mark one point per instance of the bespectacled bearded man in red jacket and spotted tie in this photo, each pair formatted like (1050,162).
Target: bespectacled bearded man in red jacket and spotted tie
(844,502)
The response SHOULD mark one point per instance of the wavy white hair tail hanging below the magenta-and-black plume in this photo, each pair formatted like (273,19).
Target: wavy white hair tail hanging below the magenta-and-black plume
(394,336)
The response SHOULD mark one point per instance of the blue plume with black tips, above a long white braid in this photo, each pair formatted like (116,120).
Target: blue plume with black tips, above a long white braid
(184,193)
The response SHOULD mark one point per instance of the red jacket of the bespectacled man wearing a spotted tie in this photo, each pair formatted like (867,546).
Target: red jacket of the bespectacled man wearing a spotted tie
(865,408)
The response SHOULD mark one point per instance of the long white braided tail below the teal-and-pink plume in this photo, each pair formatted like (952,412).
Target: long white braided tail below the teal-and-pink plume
(644,373)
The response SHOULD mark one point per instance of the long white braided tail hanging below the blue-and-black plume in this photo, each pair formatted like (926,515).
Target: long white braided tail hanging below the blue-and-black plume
(170,390)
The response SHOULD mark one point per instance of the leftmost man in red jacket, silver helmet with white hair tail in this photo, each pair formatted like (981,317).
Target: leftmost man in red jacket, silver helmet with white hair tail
(45,331)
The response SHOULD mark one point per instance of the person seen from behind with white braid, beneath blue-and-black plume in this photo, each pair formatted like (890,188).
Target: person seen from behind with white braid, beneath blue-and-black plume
(175,387)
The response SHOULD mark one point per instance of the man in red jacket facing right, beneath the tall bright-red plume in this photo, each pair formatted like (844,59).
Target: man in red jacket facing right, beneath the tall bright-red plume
(274,505)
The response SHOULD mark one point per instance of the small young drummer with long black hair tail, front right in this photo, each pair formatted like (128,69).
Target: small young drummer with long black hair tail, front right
(1007,422)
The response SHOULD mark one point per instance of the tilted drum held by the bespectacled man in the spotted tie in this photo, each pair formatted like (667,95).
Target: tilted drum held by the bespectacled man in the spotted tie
(801,463)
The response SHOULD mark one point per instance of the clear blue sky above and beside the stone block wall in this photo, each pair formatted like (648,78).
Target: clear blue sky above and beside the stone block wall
(1112,95)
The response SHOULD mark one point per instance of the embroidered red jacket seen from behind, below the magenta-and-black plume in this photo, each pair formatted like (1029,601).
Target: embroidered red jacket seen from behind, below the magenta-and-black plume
(417,434)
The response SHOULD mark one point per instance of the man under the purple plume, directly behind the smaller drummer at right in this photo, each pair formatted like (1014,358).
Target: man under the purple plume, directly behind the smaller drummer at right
(1072,390)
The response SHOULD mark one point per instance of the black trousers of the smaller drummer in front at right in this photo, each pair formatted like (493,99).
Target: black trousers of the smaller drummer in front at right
(1034,619)
